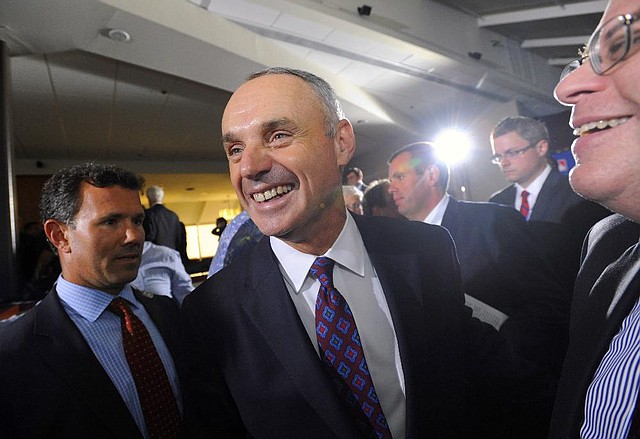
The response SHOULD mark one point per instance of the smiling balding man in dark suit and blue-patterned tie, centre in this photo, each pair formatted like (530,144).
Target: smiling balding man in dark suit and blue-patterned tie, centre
(256,333)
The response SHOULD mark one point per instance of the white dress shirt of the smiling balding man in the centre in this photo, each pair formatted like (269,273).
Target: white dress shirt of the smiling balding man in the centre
(356,279)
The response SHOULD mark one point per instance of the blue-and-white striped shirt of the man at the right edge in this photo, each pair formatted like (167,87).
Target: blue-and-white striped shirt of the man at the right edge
(612,395)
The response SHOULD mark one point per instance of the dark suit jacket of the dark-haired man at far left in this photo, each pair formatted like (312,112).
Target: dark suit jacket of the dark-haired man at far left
(53,386)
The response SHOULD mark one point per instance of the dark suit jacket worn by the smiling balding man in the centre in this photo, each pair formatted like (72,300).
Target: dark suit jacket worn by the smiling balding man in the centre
(252,367)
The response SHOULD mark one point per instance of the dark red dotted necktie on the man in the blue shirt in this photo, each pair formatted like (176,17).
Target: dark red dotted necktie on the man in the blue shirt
(158,403)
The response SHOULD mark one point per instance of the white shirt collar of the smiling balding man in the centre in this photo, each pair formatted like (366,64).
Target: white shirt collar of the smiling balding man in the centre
(347,251)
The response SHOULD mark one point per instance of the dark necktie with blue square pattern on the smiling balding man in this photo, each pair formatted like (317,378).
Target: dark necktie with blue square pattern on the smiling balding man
(341,350)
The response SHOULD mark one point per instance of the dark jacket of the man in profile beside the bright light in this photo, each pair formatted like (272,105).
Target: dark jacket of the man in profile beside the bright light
(501,267)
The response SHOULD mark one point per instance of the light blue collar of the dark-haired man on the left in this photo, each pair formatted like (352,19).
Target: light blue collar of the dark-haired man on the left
(88,302)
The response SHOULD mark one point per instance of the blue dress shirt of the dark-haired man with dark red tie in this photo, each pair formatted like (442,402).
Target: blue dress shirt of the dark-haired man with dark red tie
(86,308)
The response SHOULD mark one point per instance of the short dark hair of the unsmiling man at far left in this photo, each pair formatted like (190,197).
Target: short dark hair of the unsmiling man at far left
(61,193)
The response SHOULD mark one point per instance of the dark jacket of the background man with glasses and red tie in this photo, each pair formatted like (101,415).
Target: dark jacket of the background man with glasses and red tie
(559,221)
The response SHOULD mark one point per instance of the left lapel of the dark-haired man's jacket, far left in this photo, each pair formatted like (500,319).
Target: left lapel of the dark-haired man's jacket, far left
(63,349)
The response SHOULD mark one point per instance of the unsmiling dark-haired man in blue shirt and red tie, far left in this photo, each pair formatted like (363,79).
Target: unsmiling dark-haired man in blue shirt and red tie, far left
(65,367)
